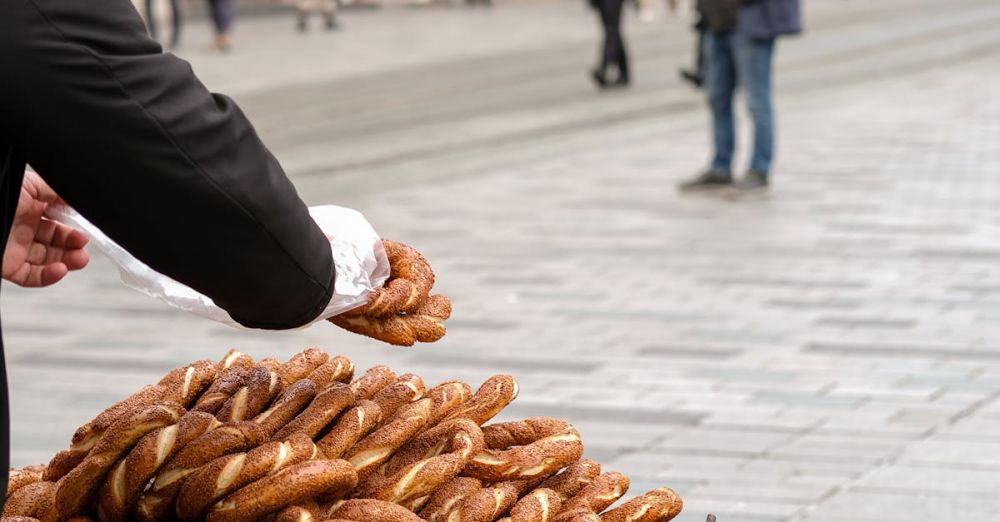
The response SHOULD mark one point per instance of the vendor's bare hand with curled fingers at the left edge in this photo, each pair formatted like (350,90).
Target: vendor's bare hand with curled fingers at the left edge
(40,252)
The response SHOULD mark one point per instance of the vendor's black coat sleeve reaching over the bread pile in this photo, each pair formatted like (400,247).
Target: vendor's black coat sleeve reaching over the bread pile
(173,173)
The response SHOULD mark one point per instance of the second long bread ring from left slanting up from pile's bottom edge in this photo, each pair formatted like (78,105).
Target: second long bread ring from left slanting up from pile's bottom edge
(130,476)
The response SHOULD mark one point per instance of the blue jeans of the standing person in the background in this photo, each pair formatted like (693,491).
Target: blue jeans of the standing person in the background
(734,59)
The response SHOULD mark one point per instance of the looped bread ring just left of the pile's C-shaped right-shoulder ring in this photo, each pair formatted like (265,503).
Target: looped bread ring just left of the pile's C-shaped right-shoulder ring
(425,463)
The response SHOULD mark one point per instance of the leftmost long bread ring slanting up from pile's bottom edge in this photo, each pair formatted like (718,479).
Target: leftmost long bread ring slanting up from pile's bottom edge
(78,486)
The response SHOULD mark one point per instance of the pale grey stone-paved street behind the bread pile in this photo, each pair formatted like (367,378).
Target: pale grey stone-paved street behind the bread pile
(828,354)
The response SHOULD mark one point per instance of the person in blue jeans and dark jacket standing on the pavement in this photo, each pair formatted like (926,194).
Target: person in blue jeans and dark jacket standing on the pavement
(739,47)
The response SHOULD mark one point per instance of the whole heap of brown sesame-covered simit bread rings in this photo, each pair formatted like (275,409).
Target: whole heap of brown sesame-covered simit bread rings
(245,440)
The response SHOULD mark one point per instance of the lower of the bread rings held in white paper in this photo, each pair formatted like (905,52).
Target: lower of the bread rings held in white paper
(425,324)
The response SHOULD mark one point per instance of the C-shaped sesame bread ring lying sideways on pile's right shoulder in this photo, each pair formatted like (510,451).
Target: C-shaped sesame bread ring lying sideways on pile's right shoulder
(537,447)
